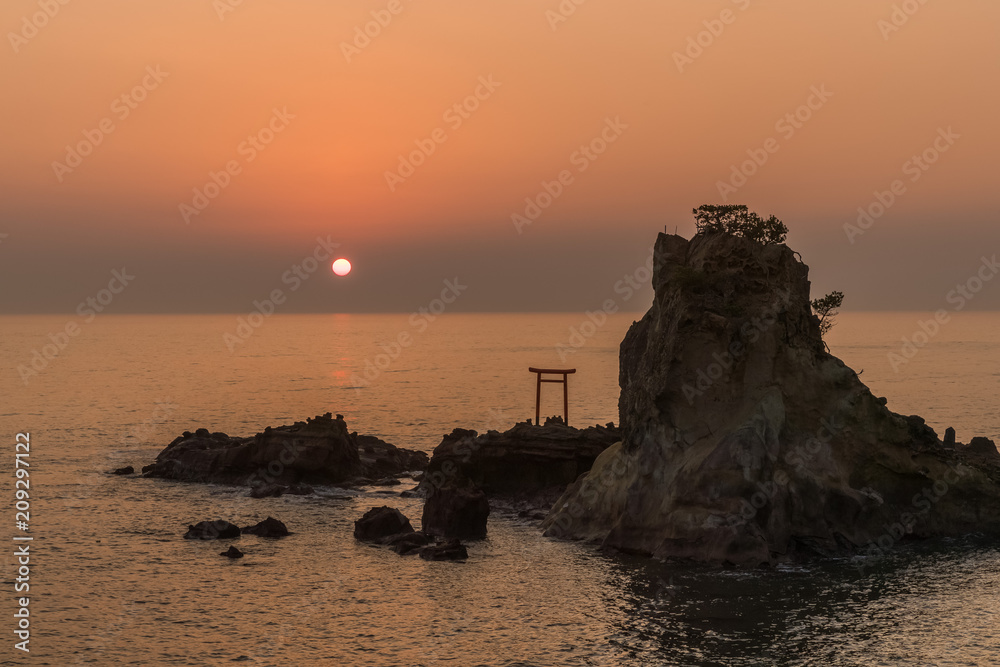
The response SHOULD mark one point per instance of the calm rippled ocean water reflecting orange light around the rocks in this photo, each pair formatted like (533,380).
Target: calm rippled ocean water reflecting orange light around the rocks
(113,582)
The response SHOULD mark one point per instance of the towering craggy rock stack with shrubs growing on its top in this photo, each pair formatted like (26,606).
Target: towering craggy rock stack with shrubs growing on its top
(744,441)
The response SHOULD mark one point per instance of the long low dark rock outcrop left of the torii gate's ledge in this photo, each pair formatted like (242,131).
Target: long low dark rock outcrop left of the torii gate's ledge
(319,450)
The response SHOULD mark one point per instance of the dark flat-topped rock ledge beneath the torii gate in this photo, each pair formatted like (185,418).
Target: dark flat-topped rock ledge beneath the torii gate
(523,460)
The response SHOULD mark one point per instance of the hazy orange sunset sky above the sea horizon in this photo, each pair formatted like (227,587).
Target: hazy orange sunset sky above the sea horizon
(116,114)
